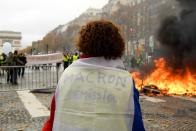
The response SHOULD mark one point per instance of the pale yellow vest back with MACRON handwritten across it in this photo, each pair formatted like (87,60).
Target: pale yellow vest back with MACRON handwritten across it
(94,99)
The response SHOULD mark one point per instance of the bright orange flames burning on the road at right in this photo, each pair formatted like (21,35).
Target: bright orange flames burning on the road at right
(168,81)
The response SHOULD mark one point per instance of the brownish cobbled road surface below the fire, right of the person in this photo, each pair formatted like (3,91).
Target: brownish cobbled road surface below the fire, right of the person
(174,114)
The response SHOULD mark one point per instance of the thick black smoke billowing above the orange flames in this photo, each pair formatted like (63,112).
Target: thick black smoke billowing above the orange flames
(177,34)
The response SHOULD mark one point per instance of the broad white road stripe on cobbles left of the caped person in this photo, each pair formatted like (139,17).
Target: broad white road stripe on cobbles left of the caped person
(32,104)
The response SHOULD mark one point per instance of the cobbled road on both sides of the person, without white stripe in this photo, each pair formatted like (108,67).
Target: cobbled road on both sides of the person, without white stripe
(159,113)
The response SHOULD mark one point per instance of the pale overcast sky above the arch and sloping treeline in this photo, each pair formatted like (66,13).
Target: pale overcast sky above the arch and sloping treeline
(35,18)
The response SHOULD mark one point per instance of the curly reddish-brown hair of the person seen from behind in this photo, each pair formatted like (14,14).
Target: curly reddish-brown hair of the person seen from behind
(101,38)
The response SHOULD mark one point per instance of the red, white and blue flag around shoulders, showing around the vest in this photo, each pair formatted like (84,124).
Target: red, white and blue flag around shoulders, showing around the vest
(132,119)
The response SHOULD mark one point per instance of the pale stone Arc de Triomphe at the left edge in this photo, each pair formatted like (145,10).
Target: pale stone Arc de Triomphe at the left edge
(14,38)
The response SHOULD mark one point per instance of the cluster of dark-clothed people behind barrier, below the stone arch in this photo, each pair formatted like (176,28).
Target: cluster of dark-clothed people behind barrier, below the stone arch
(13,65)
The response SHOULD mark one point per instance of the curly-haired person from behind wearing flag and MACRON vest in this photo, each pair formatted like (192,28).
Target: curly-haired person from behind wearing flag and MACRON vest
(95,93)
